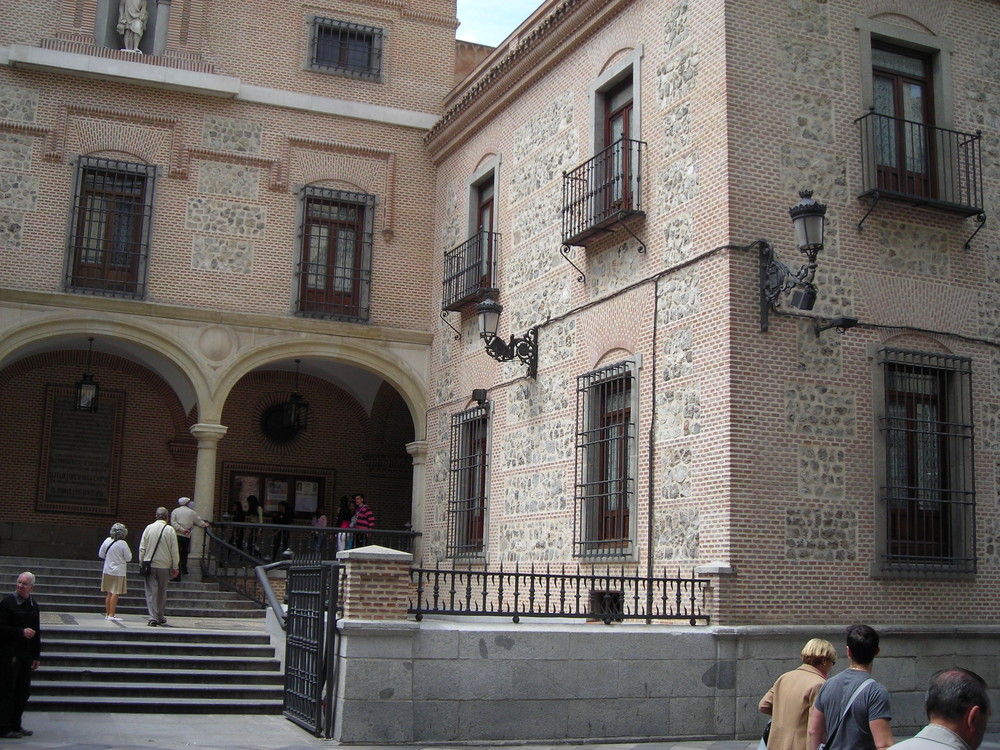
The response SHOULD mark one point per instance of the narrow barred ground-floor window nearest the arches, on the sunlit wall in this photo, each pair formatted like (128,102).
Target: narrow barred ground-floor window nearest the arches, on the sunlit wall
(468,487)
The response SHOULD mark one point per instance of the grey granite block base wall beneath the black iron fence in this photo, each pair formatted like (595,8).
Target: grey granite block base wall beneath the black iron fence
(472,681)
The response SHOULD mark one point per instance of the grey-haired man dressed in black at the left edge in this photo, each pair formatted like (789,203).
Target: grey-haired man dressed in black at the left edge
(20,649)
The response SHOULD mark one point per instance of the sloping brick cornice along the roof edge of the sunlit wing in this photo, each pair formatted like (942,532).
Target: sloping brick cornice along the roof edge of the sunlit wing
(528,55)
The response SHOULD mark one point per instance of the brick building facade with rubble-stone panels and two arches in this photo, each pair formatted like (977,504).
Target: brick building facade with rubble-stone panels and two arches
(604,175)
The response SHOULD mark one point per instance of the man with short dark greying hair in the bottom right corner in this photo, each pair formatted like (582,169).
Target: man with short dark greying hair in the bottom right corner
(958,708)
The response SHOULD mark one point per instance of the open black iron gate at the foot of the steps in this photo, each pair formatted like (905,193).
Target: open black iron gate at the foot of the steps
(311,646)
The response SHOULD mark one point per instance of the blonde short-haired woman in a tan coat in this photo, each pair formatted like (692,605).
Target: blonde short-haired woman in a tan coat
(791,697)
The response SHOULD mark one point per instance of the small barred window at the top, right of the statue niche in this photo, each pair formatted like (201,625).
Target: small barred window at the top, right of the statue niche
(346,48)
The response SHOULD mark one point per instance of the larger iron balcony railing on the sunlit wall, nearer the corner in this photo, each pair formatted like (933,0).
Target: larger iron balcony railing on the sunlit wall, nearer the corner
(602,192)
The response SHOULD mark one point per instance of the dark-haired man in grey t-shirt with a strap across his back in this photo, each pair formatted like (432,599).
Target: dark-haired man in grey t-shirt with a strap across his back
(866,724)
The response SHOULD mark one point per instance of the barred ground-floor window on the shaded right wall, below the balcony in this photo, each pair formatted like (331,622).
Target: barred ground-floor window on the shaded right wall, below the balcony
(928,493)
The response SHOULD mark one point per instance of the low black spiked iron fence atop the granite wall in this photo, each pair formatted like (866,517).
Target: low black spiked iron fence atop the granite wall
(608,597)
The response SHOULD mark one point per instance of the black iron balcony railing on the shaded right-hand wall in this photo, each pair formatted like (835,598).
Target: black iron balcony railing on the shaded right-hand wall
(921,164)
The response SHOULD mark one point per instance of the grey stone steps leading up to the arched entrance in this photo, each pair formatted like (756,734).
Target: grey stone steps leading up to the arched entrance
(212,657)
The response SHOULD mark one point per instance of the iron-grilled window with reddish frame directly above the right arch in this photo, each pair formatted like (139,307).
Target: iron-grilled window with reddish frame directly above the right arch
(335,266)
